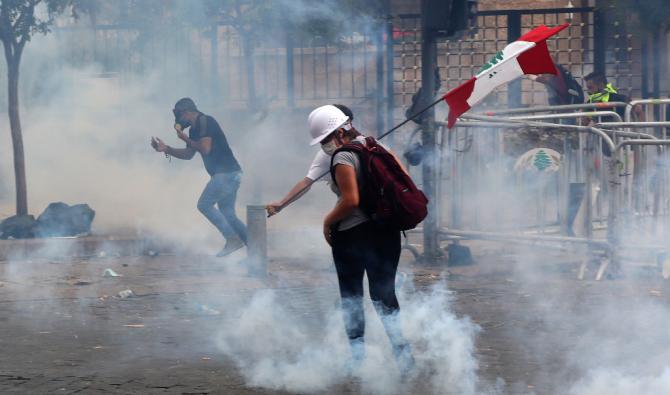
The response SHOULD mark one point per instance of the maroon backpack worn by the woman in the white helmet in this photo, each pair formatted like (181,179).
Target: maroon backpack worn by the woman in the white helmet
(388,195)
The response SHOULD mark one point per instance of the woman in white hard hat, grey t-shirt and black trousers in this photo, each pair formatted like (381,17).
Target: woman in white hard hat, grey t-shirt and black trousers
(359,244)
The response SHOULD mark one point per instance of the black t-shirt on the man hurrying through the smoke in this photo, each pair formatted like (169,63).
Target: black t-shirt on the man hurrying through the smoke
(220,159)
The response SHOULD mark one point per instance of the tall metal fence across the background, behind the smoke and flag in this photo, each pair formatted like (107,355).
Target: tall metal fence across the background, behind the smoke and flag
(377,68)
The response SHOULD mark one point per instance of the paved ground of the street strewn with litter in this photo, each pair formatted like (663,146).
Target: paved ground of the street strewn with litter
(66,330)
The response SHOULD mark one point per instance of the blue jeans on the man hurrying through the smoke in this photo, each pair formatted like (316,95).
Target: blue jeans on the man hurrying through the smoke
(222,191)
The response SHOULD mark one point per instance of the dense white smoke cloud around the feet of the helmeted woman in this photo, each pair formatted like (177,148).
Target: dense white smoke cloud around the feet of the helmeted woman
(278,348)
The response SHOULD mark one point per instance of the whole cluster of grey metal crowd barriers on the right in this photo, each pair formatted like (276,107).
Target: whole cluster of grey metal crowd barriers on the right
(600,192)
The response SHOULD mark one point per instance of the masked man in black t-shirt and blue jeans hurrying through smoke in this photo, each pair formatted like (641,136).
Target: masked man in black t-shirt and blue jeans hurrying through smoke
(206,137)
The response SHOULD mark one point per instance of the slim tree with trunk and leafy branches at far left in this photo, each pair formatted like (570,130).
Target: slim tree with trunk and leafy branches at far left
(19,21)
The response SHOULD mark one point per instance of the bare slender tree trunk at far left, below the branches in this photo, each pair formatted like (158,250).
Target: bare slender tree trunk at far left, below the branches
(17,137)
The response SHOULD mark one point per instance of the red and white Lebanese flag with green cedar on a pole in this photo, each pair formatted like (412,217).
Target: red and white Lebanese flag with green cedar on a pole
(527,55)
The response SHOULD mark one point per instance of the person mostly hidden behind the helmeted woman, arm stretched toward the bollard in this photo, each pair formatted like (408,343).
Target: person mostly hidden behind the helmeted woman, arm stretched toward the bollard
(320,165)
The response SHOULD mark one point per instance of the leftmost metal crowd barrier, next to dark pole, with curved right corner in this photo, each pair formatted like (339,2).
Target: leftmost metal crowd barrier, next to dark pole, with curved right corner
(463,172)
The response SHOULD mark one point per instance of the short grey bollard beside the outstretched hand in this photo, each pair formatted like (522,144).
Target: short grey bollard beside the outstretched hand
(257,252)
